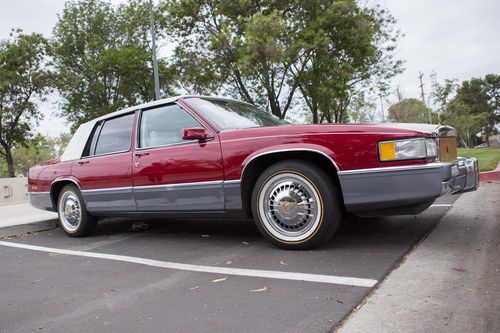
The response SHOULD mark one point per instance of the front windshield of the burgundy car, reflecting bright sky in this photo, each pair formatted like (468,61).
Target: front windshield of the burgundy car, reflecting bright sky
(227,114)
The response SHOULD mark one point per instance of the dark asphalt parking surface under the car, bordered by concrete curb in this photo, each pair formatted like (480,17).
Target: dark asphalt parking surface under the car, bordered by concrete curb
(197,276)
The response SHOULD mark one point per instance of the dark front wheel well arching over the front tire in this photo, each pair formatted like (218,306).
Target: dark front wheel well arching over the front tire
(255,168)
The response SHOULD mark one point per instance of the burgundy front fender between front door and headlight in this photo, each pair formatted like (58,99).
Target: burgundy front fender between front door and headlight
(351,147)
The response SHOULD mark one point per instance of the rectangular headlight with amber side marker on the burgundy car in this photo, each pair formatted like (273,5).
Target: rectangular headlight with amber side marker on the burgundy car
(407,149)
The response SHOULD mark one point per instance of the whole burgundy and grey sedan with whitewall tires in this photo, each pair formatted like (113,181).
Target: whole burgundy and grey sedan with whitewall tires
(203,156)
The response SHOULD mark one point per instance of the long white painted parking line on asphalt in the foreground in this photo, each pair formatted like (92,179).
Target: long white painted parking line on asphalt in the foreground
(281,275)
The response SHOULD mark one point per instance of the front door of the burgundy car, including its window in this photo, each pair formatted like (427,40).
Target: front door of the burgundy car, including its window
(172,174)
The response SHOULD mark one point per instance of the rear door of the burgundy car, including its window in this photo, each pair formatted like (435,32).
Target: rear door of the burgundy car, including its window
(105,170)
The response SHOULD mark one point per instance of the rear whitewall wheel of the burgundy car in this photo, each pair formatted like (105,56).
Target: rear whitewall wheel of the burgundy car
(74,218)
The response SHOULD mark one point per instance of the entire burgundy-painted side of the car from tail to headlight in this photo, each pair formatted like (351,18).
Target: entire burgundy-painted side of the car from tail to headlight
(223,158)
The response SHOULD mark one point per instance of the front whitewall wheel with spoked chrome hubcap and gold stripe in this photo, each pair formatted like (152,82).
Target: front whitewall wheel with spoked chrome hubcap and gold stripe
(296,205)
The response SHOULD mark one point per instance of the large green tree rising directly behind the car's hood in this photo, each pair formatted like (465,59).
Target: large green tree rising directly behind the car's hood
(349,47)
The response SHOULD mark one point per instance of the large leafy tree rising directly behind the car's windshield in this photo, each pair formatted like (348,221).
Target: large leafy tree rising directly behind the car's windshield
(243,48)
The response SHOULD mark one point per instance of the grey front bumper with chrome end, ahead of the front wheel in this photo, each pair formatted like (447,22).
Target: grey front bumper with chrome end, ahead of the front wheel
(405,190)
